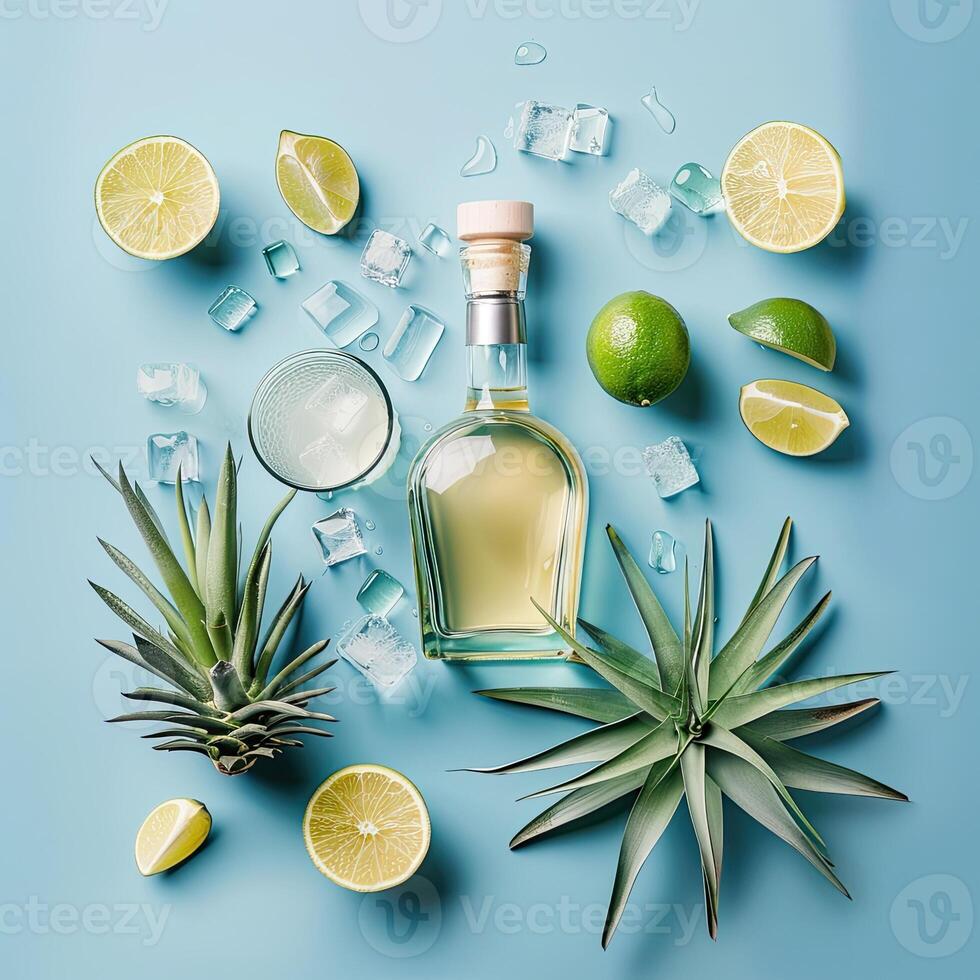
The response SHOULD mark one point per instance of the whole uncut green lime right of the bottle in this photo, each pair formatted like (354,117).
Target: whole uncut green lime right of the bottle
(638,348)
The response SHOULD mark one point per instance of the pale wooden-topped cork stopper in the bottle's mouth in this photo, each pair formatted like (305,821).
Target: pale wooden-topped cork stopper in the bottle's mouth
(495,259)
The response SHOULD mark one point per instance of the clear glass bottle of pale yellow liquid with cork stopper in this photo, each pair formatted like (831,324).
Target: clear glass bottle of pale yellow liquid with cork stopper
(498,499)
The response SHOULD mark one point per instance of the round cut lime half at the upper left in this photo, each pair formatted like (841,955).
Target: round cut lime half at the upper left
(157,198)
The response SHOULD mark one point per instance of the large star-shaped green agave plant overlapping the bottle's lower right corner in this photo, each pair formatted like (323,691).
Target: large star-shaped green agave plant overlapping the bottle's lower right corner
(686,724)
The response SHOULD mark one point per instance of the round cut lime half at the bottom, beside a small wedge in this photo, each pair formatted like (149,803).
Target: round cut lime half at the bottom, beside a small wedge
(367,828)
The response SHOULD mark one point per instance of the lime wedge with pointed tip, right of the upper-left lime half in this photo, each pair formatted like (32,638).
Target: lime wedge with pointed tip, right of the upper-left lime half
(318,181)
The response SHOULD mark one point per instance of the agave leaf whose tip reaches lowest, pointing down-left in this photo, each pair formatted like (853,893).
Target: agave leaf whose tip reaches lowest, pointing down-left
(651,813)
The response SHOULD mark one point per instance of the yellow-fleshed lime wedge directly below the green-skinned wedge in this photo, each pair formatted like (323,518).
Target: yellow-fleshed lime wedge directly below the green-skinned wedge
(791,418)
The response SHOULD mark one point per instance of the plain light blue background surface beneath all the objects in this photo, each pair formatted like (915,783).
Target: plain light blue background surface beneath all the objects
(82,80)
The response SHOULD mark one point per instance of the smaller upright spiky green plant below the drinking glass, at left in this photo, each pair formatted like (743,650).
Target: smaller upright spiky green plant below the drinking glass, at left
(225,702)
